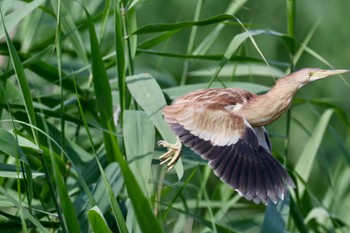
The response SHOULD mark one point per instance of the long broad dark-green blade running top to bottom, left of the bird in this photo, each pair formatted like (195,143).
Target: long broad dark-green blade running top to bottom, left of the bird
(103,96)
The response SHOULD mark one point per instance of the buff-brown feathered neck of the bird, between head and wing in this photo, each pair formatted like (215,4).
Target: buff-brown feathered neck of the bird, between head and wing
(266,108)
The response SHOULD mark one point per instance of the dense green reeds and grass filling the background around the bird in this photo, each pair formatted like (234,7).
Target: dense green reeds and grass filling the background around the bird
(82,86)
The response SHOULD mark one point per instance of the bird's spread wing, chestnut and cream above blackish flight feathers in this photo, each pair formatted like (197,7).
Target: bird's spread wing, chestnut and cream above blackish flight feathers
(227,140)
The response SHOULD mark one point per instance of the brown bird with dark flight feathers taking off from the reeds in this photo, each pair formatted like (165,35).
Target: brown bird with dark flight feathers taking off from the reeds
(225,126)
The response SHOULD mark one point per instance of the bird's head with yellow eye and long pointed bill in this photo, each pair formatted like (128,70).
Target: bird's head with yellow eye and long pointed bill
(307,75)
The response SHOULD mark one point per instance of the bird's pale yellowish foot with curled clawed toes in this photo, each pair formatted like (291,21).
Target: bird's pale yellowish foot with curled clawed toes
(172,155)
